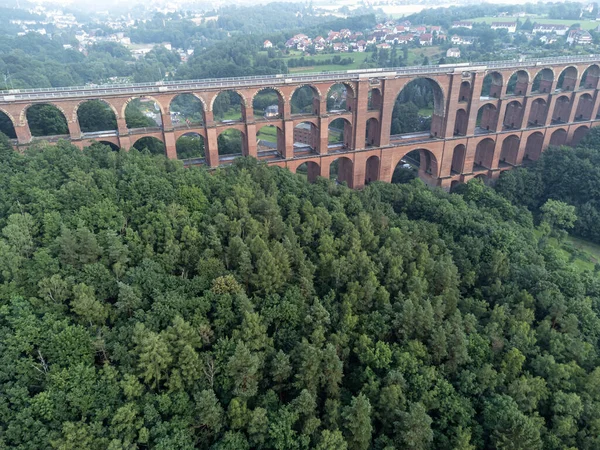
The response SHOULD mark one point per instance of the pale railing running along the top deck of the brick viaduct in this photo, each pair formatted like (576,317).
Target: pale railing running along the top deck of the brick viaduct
(269,80)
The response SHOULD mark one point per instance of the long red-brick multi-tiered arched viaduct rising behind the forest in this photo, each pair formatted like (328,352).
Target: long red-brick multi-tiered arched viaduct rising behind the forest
(550,101)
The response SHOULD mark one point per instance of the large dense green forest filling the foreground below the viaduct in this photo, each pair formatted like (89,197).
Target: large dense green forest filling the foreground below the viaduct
(144,305)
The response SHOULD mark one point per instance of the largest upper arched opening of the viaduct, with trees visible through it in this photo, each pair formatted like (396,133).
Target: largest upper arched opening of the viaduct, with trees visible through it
(419,108)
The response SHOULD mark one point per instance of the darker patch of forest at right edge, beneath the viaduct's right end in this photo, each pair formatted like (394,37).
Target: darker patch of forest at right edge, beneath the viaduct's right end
(565,174)
